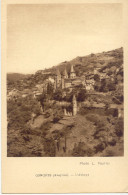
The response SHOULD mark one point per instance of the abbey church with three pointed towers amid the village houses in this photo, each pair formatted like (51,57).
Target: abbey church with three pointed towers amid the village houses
(68,81)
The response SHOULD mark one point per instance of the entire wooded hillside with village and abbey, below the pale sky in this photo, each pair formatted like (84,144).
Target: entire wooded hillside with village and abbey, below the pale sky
(72,109)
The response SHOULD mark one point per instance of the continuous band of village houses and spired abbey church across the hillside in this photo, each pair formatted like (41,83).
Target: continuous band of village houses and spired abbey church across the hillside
(61,80)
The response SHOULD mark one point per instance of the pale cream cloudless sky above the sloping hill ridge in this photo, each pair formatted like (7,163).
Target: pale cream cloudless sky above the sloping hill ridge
(40,36)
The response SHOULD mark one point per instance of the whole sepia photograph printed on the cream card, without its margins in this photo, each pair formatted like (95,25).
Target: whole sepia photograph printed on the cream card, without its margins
(65,67)
